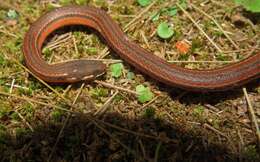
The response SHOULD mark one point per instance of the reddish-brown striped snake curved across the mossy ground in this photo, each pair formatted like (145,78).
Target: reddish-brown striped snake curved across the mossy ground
(220,79)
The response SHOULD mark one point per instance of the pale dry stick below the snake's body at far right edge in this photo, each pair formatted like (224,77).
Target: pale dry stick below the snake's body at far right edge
(252,113)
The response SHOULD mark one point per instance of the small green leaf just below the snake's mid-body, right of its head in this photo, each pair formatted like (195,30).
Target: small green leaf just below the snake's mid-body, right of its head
(144,94)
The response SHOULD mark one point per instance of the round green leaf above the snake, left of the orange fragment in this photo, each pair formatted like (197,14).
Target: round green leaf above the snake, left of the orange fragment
(164,31)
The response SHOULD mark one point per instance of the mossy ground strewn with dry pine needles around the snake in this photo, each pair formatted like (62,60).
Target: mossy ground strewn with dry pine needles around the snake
(38,123)
